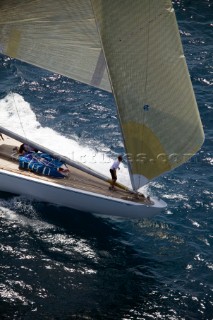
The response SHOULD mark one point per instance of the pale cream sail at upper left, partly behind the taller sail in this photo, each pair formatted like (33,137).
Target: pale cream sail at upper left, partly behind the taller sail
(60,36)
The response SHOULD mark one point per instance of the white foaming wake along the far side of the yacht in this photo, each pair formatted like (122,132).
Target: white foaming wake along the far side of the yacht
(18,117)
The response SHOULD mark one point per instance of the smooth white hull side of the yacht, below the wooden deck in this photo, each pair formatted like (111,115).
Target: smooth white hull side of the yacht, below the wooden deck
(75,198)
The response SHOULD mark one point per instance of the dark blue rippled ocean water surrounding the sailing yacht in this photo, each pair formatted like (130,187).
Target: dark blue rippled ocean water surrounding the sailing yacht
(57,263)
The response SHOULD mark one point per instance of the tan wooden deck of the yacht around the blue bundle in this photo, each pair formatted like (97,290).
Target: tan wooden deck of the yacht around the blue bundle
(76,179)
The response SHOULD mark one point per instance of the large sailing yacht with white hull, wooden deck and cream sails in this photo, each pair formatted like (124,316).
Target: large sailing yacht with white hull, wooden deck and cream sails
(134,50)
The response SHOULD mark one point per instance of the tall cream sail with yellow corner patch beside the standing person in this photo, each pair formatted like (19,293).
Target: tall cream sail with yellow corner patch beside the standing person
(156,104)
